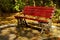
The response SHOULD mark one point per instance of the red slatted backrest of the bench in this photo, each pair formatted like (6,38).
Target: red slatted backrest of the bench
(39,11)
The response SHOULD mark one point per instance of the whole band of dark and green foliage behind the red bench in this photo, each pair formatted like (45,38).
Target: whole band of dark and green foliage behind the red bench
(18,5)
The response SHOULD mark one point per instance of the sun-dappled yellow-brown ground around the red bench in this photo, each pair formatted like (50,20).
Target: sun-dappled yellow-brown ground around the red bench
(11,33)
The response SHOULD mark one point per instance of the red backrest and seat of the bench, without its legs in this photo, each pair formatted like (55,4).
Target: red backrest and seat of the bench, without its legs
(42,12)
